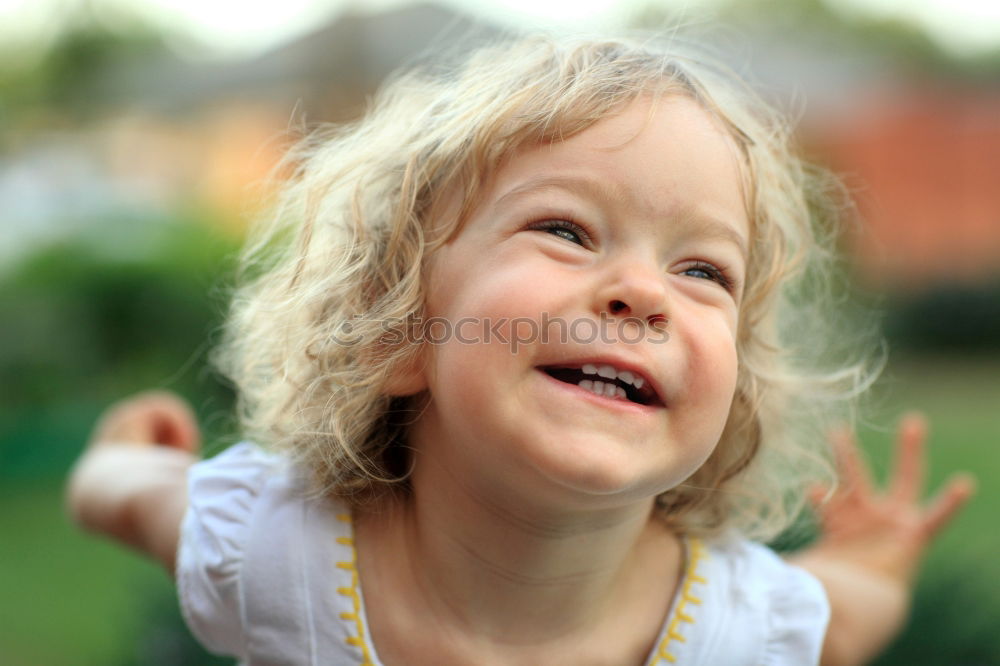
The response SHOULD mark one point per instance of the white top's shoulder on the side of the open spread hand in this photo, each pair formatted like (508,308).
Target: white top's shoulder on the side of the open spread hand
(746,605)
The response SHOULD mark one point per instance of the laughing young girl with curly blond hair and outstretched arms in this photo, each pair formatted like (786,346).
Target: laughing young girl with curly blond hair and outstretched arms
(521,344)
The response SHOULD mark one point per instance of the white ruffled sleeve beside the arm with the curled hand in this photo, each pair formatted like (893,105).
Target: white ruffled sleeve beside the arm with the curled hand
(222,497)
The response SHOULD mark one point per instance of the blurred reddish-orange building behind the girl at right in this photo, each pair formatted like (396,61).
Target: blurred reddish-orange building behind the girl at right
(924,165)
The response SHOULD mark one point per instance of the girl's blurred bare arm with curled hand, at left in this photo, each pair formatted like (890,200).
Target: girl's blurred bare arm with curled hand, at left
(130,482)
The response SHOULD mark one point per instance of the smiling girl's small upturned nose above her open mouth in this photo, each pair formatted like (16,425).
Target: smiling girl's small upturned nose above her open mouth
(633,289)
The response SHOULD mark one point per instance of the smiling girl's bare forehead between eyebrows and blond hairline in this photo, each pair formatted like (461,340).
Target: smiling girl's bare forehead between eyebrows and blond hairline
(663,157)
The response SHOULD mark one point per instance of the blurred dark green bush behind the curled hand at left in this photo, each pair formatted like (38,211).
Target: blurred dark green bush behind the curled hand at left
(82,327)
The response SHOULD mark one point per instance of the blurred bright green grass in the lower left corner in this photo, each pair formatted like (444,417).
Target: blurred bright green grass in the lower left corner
(67,598)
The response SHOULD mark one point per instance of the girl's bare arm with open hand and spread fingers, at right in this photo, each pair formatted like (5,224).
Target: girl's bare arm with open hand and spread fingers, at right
(872,542)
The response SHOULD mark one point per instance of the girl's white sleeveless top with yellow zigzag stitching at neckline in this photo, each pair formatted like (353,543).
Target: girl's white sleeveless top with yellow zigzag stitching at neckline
(269,577)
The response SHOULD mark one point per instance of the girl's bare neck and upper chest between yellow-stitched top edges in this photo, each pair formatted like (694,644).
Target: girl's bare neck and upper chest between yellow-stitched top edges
(500,568)
